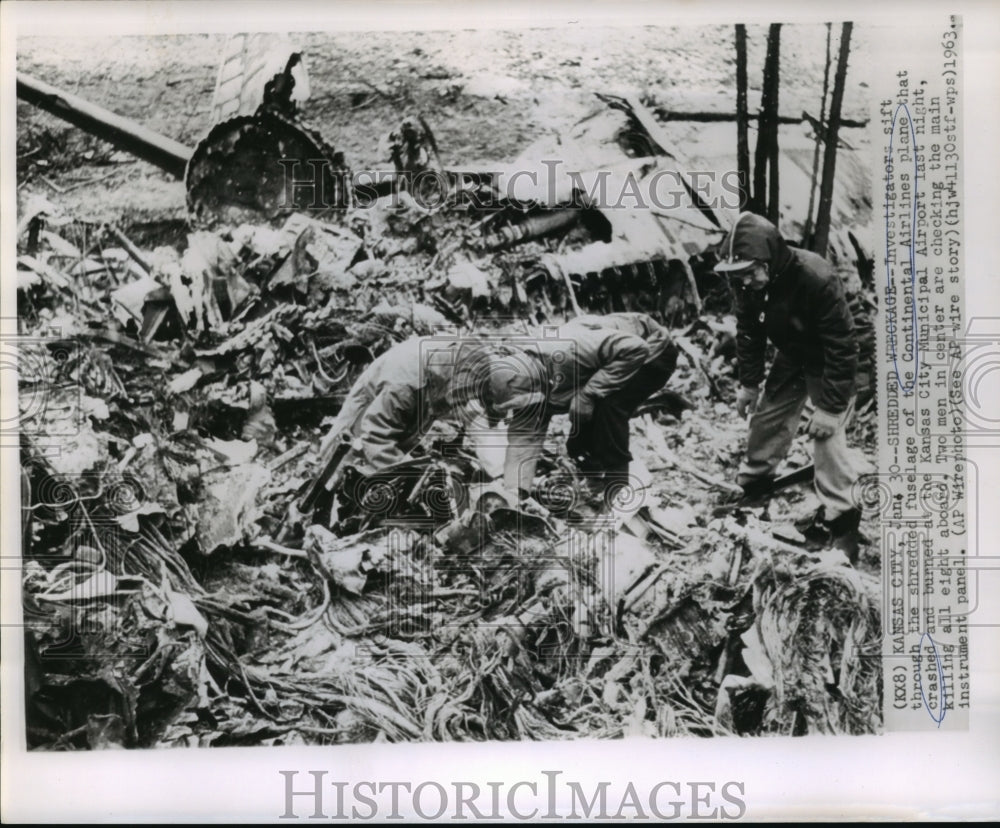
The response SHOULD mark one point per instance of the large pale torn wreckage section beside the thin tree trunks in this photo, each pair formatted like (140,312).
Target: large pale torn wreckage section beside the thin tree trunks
(627,259)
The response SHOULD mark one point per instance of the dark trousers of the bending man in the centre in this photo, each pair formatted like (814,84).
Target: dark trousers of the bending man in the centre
(603,439)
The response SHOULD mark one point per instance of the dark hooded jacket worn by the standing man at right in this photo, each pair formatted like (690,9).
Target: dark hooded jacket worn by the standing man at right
(803,311)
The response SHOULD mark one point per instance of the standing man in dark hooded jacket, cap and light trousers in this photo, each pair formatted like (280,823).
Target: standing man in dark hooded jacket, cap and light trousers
(794,299)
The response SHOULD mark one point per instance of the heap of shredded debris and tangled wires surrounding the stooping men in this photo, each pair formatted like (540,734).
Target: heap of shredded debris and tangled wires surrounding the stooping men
(171,407)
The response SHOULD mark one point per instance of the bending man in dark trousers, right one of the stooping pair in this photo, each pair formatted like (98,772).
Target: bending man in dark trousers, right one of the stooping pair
(598,371)
